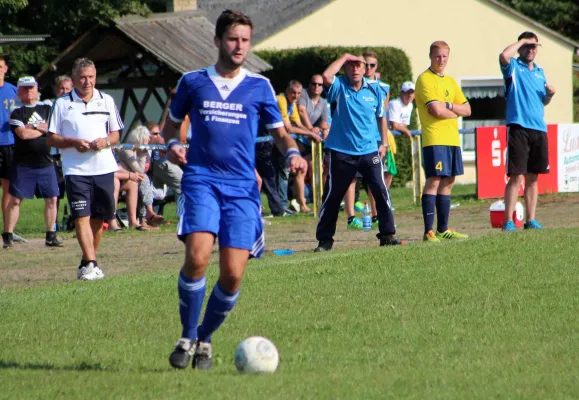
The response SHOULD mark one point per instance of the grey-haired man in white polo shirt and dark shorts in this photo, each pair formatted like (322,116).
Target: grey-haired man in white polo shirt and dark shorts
(84,124)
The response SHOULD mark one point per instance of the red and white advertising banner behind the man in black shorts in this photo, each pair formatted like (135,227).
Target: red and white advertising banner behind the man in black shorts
(491,151)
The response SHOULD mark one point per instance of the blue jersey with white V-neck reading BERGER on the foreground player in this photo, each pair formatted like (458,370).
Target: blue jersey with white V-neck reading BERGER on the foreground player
(224,122)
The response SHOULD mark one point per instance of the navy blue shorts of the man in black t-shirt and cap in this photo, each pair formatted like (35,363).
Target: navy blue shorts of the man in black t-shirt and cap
(26,182)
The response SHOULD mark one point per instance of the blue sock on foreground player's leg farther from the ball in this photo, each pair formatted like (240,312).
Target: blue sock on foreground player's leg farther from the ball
(191,295)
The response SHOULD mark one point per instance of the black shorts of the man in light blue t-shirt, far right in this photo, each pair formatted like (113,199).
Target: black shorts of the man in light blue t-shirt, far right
(527,151)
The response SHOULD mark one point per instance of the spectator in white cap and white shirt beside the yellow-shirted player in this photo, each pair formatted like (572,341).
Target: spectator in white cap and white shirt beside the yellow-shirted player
(399,113)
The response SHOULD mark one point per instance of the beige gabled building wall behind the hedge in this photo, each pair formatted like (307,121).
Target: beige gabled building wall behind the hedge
(476,31)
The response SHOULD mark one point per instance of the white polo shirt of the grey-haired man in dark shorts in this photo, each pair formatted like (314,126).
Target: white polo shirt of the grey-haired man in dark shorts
(73,118)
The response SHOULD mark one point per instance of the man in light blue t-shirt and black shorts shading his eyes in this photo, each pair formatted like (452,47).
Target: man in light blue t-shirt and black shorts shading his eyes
(527,94)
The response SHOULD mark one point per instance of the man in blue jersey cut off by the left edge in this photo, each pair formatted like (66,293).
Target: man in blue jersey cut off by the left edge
(7,103)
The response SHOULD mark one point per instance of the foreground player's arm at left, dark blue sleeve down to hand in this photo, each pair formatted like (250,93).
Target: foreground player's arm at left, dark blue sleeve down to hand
(180,106)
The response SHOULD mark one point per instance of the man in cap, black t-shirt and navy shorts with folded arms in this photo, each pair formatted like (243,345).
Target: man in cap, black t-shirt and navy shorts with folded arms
(32,172)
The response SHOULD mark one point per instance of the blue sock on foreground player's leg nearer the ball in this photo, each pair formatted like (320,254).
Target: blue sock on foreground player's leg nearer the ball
(219,305)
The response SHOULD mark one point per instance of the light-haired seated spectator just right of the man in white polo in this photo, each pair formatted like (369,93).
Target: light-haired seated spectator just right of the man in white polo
(135,160)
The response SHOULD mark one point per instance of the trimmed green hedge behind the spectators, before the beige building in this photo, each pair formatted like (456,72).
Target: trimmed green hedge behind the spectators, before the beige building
(301,64)
